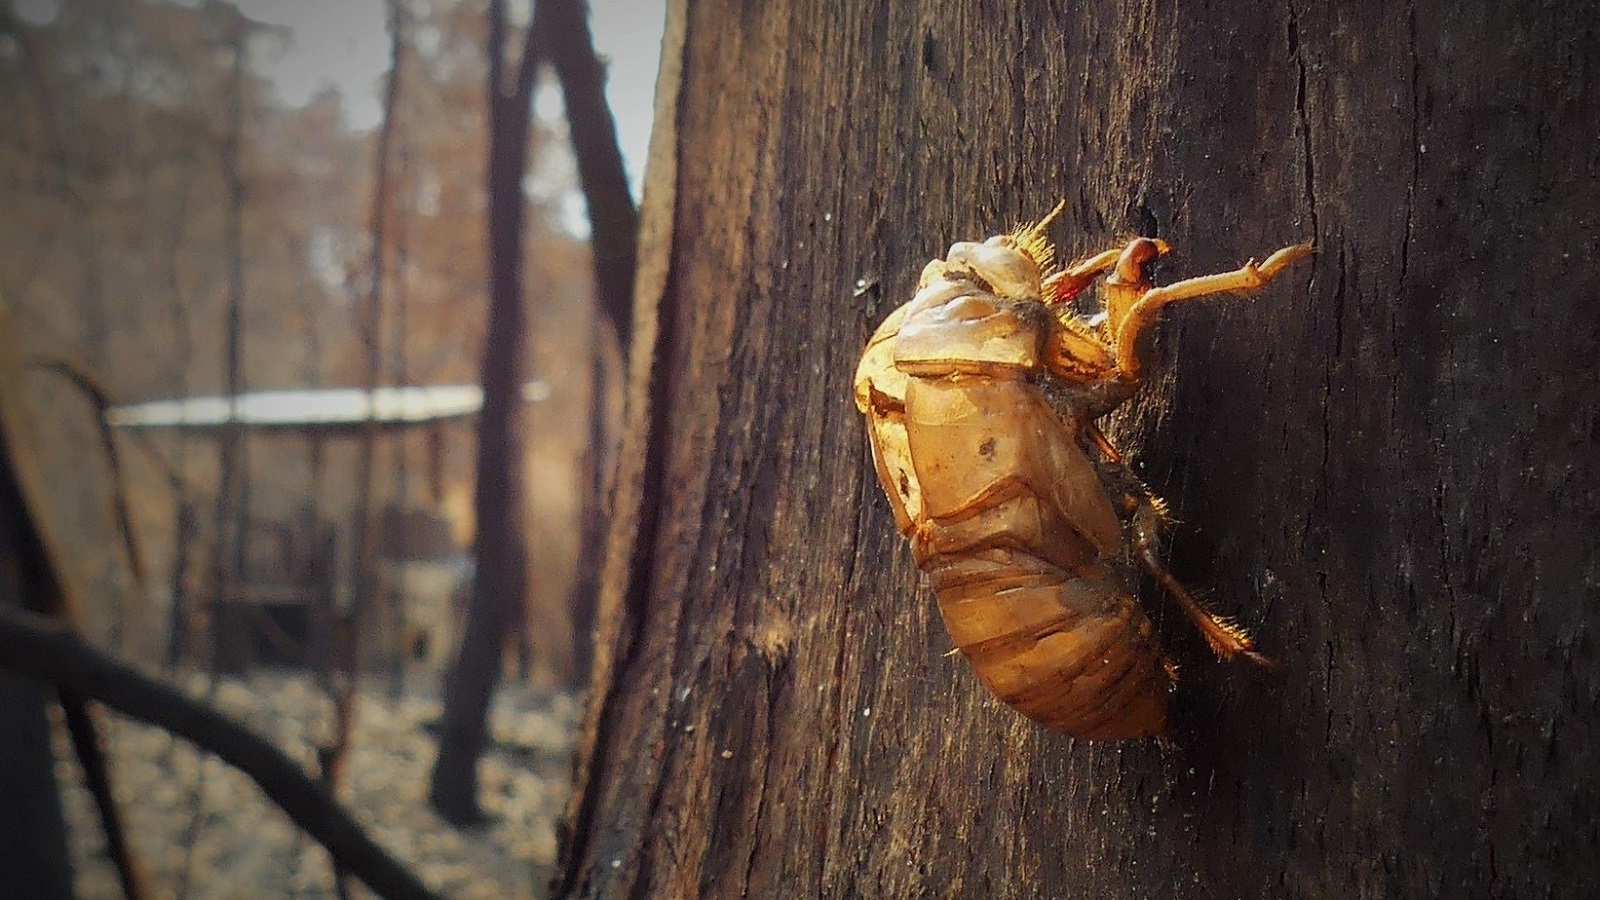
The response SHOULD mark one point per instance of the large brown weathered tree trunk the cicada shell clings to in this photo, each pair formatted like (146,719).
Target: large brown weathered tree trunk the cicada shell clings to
(1383,465)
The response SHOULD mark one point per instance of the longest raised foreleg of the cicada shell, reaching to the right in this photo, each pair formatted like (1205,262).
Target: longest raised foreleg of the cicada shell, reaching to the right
(1129,321)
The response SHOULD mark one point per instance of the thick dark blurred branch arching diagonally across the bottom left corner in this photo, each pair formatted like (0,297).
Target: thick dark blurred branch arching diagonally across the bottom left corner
(52,653)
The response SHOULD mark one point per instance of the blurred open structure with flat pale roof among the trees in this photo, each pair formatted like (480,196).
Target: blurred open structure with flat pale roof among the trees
(284,603)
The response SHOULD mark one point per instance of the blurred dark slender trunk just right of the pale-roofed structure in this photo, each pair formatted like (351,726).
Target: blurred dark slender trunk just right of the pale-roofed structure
(502,558)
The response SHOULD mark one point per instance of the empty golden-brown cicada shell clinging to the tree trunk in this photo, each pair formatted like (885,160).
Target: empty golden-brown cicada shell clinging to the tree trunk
(982,398)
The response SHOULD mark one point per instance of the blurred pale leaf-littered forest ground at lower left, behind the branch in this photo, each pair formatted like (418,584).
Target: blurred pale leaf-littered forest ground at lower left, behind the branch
(204,832)
